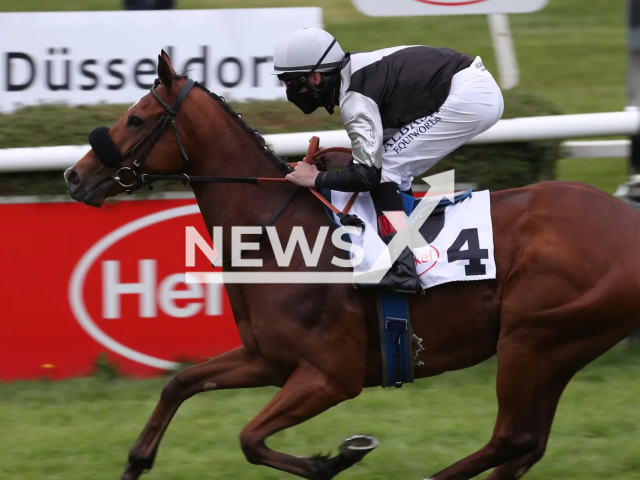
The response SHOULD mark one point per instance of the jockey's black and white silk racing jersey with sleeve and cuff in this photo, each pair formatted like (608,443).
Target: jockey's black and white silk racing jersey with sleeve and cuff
(385,90)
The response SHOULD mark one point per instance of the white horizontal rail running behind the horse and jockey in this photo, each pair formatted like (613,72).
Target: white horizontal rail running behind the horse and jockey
(558,127)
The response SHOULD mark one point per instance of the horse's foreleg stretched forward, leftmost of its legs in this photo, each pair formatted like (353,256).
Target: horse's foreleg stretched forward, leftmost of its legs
(235,369)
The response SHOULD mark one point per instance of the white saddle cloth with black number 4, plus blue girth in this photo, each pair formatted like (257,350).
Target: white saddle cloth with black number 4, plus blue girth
(459,238)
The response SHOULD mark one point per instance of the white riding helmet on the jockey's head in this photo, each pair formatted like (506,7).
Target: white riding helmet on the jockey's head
(303,49)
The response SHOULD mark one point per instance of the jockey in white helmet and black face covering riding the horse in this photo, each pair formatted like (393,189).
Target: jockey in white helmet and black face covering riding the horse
(404,108)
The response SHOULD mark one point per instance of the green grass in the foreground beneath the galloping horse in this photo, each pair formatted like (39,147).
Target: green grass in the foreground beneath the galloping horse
(82,429)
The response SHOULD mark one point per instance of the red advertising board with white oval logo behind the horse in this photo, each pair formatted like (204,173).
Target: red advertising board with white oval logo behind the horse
(78,282)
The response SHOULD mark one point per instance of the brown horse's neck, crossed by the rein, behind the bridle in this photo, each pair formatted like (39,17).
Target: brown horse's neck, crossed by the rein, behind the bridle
(225,149)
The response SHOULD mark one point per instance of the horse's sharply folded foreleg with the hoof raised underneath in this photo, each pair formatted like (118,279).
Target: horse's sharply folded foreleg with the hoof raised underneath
(307,393)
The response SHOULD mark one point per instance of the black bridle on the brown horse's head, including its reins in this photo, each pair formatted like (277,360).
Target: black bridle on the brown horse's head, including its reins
(127,177)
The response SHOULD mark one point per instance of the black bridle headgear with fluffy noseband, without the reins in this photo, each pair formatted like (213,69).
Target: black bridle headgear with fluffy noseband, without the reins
(109,153)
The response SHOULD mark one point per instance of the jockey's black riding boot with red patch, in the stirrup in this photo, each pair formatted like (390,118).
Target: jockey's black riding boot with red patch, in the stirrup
(402,276)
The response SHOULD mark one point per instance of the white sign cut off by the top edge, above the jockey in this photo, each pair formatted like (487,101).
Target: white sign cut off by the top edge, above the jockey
(397,8)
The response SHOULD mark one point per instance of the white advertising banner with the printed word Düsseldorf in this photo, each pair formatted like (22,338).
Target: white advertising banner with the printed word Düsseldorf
(94,57)
